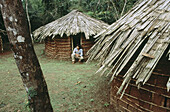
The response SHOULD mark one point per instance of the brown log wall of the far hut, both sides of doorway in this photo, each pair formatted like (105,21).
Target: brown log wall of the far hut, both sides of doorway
(61,48)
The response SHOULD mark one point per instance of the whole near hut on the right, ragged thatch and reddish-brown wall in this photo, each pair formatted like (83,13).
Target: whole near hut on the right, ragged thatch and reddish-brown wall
(134,51)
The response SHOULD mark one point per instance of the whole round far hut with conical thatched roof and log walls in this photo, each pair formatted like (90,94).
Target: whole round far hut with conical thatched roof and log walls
(63,34)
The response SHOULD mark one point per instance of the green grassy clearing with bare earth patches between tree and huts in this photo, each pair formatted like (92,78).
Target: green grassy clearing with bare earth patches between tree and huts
(72,88)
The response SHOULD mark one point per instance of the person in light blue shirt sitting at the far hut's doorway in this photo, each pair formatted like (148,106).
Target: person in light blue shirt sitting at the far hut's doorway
(77,54)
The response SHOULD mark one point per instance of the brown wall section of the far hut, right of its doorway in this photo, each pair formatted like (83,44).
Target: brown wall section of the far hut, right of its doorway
(86,45)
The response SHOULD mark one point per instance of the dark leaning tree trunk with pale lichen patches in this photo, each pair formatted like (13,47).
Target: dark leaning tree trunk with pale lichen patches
(24,54)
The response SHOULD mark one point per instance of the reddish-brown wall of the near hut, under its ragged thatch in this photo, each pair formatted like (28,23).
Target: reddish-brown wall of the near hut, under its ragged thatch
(153,96)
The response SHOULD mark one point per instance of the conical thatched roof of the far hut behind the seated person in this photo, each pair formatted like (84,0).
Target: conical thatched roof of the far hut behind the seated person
(71,24)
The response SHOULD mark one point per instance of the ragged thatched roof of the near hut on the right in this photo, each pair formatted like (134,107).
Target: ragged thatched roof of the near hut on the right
(147,24)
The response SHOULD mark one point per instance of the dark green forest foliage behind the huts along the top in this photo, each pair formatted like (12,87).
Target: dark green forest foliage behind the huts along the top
(42,12)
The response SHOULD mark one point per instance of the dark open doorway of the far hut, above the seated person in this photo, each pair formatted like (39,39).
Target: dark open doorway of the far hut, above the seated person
(76,40)
